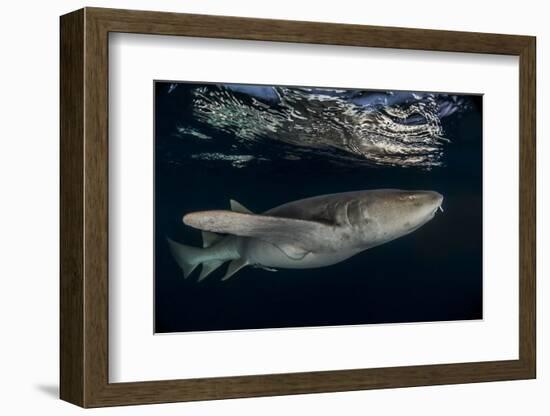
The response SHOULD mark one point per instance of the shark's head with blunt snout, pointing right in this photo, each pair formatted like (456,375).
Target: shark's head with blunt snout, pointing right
(391,213)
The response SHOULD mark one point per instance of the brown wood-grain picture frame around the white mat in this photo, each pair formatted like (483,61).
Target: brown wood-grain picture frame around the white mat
(84,207)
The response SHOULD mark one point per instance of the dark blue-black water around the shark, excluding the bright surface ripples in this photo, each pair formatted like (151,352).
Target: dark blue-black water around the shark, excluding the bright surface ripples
(433,274)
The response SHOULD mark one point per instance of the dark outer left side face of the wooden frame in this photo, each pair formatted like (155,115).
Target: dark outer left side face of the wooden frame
(71,208)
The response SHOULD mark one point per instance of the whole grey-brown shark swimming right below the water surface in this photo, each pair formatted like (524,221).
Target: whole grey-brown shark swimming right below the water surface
(308,233)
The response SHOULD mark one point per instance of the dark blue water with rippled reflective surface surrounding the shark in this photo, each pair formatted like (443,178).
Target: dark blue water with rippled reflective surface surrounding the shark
(267,146)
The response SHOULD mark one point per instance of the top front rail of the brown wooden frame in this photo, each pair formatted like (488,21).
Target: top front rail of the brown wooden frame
(162,23)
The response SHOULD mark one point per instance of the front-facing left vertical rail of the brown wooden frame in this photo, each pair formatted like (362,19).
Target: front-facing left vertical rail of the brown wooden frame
(96,218)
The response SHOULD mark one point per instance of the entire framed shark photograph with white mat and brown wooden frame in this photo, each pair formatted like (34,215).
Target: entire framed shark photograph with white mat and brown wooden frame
(256,207)
